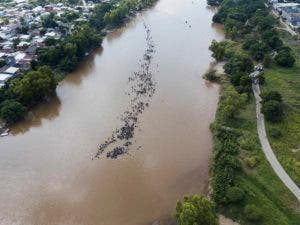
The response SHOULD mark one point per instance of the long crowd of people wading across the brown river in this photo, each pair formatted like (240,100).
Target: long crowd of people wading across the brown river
(142,89)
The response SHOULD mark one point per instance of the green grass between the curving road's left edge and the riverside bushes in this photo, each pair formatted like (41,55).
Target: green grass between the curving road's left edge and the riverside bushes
(263,188)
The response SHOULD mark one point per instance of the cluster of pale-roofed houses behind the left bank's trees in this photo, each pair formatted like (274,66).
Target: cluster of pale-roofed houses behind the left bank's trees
(22,32)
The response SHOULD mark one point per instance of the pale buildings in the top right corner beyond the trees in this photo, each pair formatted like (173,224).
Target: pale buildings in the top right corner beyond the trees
(290,11)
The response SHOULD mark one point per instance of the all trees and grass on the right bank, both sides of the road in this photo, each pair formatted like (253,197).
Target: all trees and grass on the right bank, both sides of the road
(245,188)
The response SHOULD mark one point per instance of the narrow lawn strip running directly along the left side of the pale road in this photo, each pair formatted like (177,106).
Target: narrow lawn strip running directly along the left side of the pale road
(266,189)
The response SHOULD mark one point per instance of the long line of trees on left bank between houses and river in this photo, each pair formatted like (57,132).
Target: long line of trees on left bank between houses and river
(62,56)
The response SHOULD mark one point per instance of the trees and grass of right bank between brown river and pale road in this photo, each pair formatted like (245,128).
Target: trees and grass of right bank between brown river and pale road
(245,188)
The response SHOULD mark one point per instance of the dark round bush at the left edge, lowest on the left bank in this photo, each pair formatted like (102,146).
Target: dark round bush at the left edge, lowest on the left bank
(12,111)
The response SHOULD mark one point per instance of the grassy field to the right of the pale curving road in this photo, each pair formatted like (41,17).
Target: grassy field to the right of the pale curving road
(287,83)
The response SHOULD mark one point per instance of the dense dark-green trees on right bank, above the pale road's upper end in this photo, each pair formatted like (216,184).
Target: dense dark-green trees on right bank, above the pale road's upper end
(249,21)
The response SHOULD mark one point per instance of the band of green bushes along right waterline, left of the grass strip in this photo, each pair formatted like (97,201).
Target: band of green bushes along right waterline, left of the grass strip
(227,167)
